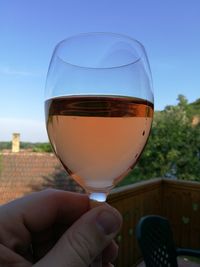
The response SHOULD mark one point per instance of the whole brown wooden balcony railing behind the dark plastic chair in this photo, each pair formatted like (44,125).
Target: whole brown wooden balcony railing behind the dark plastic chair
(177,200)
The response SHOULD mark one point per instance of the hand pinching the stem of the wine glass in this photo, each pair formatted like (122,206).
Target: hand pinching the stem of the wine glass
(55,229)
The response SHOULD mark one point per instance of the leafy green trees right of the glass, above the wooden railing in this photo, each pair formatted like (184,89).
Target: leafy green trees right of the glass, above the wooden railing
(173,149)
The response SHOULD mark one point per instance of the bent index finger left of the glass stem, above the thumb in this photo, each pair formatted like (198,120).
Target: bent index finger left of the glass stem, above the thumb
(42,209)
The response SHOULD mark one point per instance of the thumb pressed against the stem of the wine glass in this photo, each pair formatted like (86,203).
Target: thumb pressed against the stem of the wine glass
(85,239)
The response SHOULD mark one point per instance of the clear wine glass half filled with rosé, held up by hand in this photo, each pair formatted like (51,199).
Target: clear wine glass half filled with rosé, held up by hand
(99,108)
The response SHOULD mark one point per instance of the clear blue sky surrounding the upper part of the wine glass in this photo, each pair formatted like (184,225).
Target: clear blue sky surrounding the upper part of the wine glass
(29,30)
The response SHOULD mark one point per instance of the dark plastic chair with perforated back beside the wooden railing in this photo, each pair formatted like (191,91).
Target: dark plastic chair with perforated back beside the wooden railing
(155,239)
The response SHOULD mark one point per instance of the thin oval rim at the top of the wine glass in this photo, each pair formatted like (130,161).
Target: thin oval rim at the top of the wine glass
(124,36)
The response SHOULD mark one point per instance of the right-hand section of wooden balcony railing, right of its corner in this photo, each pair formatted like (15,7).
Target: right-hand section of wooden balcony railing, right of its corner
(181,204)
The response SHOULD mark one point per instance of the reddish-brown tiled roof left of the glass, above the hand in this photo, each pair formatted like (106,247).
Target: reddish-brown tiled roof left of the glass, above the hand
(25,172)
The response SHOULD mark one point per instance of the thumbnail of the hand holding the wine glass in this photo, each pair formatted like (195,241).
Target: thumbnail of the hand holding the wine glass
(109,221)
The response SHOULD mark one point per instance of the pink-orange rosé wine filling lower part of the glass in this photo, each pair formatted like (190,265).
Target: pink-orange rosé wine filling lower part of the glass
(98,139)
